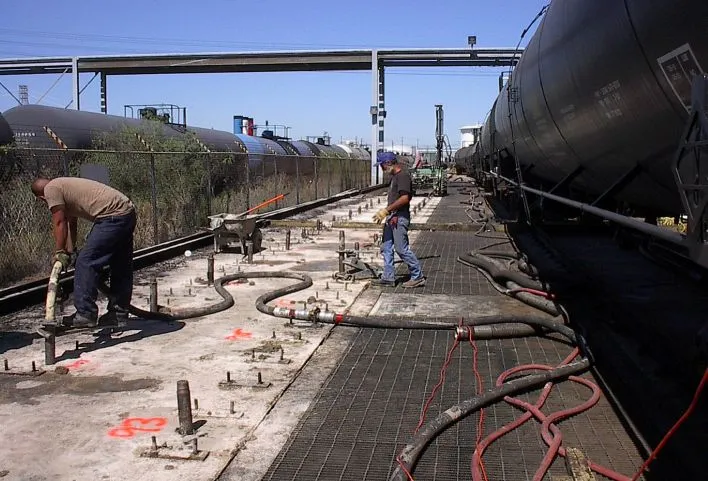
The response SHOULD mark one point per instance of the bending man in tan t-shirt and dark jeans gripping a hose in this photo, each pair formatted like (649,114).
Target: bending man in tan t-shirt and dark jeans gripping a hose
(110,243)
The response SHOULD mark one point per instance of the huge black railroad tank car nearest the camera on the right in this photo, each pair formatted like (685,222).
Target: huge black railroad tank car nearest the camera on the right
(603,87)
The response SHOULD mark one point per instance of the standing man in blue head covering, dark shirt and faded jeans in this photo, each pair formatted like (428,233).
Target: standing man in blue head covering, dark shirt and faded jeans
(397,217)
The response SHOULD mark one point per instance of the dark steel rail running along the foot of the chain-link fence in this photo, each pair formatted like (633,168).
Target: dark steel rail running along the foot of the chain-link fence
(20,296)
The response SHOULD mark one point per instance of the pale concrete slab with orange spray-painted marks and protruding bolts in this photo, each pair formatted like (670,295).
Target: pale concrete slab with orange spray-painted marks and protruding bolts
(94,422)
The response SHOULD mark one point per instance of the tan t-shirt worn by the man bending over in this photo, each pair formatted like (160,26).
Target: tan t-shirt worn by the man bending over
(86,198)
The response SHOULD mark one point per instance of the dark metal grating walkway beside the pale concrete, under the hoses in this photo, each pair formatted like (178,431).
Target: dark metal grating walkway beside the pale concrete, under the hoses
(368,408)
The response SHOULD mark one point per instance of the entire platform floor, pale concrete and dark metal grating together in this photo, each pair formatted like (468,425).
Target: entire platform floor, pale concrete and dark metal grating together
(294,400)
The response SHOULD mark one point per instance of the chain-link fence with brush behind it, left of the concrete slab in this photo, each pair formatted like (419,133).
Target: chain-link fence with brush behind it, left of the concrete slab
(174,192)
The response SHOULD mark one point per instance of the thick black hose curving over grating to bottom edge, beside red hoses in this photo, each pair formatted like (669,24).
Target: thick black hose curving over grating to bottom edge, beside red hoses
(410,454)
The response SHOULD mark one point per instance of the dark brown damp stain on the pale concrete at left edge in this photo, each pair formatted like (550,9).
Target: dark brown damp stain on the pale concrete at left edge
(25,391)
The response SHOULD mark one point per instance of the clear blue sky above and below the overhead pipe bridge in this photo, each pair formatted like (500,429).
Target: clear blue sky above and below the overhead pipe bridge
(310,103)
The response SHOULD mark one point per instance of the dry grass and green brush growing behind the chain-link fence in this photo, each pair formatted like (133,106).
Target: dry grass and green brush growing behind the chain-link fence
(183,200)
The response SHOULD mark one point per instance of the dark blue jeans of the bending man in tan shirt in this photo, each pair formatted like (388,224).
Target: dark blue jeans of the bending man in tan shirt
(110,243)
